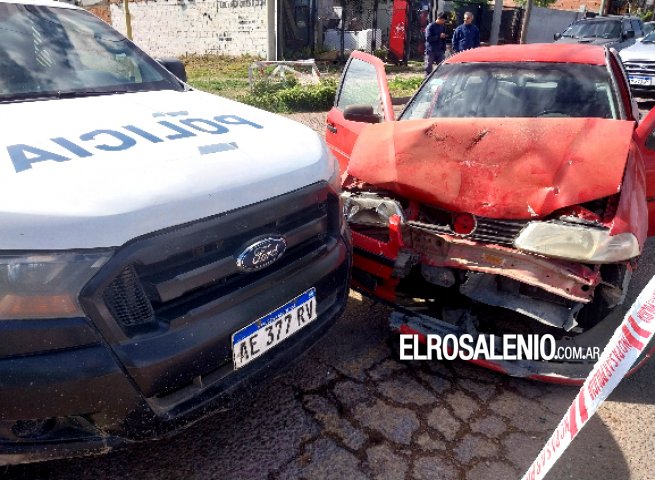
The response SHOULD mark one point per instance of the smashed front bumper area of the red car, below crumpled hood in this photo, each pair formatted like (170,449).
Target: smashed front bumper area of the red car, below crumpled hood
(466,277)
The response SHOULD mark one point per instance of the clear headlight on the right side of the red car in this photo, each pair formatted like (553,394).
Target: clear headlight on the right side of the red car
(575,242)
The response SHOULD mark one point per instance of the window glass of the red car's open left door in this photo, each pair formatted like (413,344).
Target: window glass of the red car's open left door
(360,87)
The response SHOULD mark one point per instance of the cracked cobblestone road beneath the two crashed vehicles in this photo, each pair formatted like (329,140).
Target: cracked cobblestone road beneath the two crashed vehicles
(349,410)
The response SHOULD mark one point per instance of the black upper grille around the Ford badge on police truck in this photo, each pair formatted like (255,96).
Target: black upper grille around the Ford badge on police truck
(172,273)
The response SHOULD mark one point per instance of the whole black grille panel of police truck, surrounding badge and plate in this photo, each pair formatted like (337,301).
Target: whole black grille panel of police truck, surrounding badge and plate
(169,302)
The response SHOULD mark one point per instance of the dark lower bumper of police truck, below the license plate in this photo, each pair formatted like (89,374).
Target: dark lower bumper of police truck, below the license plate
(80,402)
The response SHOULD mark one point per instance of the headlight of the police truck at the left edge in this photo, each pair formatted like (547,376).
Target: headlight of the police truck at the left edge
(46,285)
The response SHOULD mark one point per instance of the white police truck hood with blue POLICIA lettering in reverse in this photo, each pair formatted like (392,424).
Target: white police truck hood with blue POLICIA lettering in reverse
(98,171)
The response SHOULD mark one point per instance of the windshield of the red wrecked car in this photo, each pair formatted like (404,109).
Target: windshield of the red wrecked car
(526,89)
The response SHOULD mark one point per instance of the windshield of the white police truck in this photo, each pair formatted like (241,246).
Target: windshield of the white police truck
(62,51)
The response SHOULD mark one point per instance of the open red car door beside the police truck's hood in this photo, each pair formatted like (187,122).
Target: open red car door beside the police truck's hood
(363,84)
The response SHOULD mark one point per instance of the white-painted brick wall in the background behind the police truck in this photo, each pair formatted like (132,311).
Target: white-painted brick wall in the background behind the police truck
(175,28)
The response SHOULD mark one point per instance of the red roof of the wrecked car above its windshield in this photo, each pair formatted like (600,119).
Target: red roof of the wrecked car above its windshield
(534,52)
